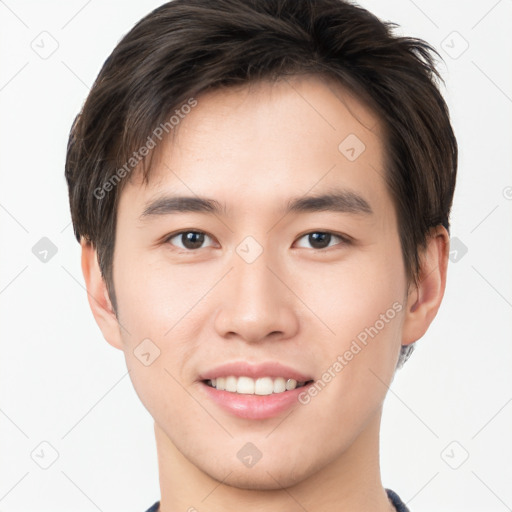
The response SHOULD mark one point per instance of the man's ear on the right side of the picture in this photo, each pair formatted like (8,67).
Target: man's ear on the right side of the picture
(425,298)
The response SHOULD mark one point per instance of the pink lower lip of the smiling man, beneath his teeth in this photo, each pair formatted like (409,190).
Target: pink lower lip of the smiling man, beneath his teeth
(254,407)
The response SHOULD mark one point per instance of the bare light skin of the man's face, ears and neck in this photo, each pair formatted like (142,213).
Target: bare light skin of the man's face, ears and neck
(253,150)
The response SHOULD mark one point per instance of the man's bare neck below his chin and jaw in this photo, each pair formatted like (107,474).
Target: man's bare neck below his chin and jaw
(350,482)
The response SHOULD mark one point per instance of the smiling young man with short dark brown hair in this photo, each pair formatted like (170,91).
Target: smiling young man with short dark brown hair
(262,191)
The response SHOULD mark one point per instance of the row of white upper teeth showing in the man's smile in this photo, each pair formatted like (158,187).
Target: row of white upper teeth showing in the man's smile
(248,386)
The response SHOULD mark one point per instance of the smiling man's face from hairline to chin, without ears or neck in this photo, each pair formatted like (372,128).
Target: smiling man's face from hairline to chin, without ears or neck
(282,269)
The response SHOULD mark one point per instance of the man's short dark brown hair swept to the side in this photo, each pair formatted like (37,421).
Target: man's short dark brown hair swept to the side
(188,47)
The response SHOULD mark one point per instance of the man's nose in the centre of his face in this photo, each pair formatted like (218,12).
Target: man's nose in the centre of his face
(258,303)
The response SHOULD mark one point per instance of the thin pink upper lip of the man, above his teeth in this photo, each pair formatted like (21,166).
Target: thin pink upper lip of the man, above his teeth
(243,368)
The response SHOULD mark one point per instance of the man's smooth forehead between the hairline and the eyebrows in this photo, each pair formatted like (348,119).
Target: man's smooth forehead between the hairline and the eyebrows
(265,140)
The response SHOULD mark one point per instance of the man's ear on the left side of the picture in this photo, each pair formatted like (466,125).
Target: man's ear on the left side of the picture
(97,294)
